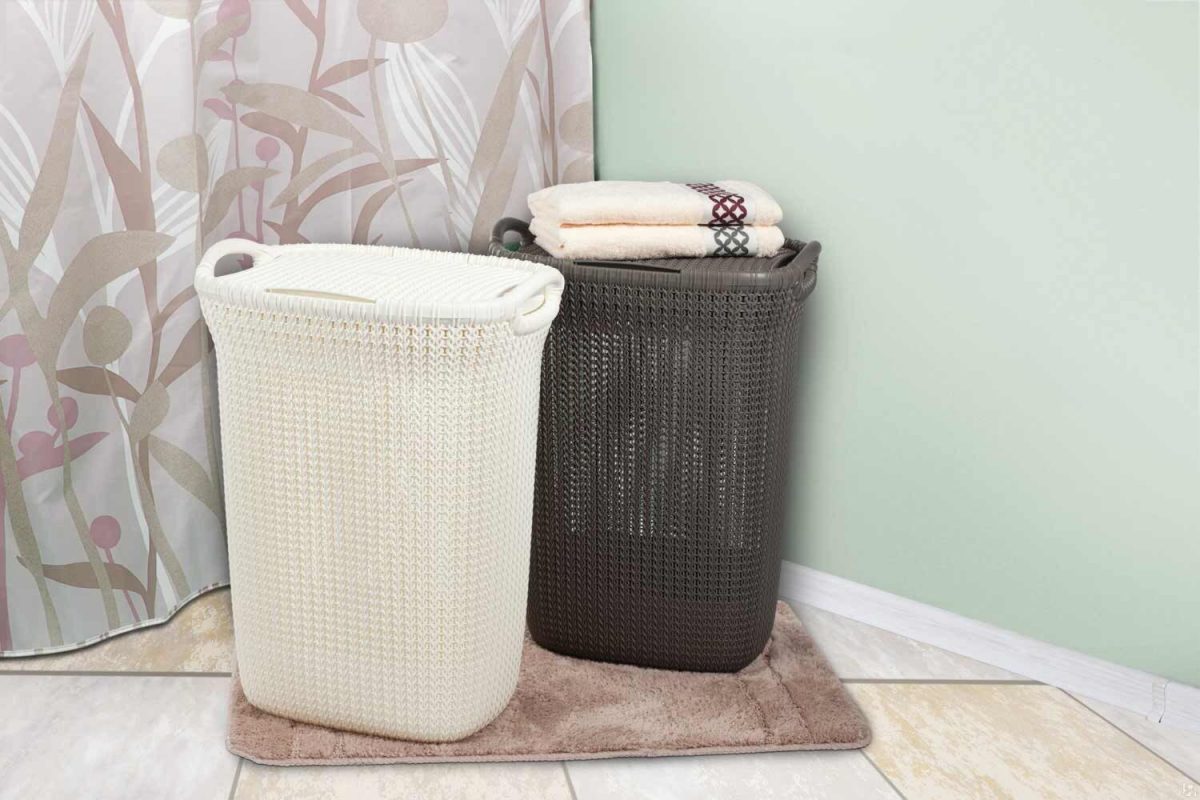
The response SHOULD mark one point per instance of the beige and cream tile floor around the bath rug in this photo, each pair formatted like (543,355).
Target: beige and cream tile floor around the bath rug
(145,717)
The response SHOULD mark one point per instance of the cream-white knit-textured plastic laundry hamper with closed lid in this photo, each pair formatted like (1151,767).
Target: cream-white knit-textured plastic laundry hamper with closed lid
(379,422)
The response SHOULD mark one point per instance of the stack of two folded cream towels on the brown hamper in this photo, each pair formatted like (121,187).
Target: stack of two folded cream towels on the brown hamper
(638,220)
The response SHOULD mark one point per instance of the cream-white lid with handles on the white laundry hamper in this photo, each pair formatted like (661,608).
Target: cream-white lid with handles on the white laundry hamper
(383,284)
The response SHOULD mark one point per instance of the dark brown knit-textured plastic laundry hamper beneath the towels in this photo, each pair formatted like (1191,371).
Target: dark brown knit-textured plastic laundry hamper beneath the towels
(663,455)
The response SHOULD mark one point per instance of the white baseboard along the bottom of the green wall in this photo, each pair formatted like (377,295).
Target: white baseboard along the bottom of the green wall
(1155,697)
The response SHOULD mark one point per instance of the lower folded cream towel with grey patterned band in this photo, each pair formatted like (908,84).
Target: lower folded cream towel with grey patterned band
(655,242)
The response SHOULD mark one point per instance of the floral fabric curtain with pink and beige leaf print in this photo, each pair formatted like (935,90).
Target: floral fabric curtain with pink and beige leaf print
(134,133)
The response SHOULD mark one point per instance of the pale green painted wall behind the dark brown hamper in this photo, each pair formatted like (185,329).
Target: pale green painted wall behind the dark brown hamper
(1001,412)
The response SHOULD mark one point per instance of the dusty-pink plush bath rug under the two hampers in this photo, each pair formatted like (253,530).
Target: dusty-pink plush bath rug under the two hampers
(569,709)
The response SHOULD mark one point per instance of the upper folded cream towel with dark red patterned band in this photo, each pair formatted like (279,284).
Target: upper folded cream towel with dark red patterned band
(646,203)
